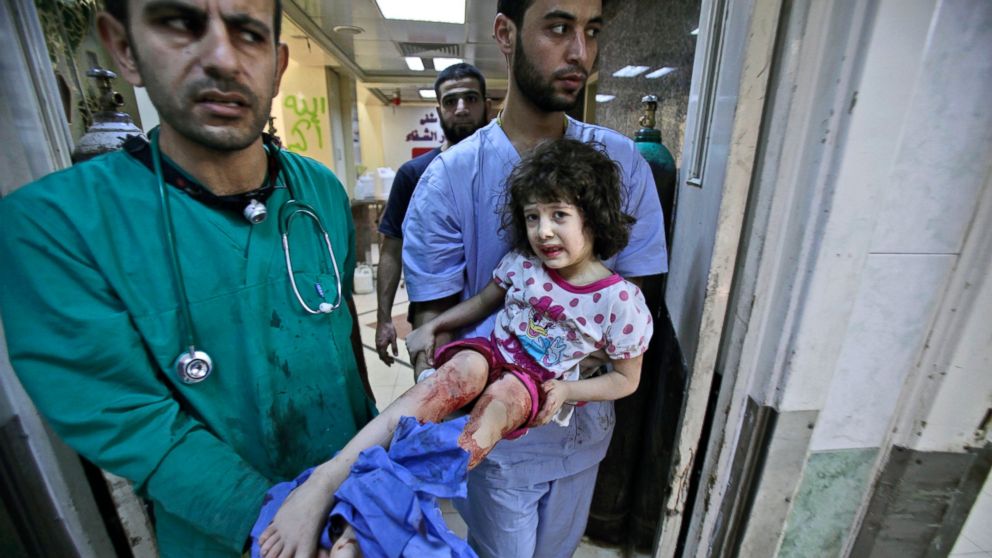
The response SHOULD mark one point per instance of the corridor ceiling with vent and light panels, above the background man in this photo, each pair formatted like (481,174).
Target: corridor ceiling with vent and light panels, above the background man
(375,56)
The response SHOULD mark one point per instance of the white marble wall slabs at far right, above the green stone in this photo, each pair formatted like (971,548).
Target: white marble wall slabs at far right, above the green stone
(927,82)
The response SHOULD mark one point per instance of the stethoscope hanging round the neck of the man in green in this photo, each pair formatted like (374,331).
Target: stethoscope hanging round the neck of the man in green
(194,365)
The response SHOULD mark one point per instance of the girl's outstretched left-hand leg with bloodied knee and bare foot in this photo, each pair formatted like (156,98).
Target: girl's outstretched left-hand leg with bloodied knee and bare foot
(297,524)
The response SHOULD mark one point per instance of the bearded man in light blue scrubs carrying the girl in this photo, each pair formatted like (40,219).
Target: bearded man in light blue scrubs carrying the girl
(531,496)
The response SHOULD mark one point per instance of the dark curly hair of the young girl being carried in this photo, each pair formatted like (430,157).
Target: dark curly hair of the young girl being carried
(582,174)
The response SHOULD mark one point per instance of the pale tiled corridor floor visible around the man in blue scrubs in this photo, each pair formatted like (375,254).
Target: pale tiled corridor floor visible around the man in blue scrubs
(388,382)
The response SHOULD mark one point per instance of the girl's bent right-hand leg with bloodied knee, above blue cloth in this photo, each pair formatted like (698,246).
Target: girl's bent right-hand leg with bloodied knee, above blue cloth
(503,408)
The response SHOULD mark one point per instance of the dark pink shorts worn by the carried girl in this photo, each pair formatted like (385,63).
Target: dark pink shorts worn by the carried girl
(530,374)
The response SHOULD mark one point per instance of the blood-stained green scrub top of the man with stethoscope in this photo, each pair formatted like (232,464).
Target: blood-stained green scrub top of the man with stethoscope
(92,322)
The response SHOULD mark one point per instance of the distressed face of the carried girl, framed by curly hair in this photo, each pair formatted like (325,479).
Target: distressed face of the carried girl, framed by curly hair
(558,235)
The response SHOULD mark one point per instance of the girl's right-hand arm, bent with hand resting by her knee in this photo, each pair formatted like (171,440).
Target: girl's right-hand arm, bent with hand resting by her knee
(619,383)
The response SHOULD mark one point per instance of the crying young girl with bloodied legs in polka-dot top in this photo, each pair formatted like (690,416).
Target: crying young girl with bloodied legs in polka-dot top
(563,314)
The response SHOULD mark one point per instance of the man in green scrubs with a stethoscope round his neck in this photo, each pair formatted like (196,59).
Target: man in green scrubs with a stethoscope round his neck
(93,316)
